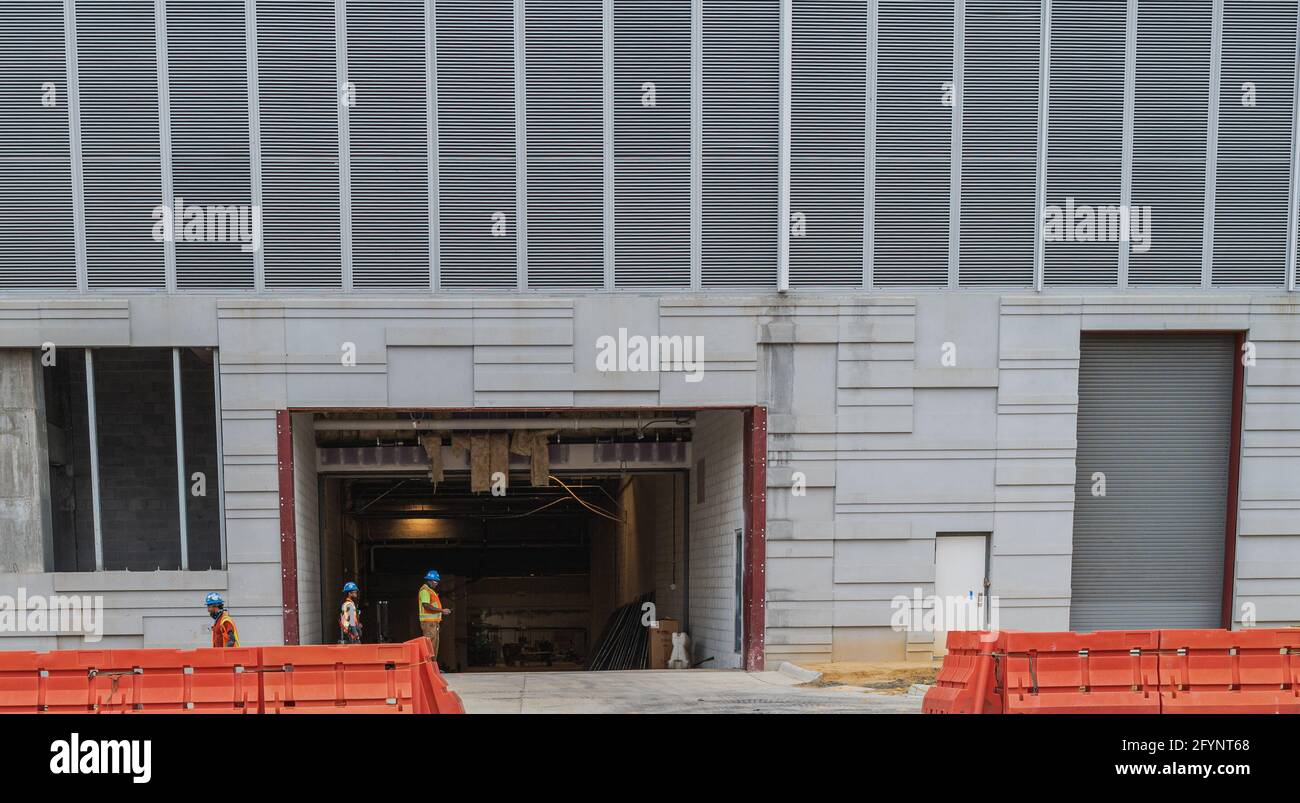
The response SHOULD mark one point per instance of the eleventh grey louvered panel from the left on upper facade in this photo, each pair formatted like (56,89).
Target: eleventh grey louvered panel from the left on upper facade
(915,136)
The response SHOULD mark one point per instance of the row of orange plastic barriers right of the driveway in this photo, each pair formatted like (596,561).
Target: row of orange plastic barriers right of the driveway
(1120,672)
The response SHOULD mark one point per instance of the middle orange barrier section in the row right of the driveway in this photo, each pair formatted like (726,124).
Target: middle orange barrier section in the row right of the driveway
(1106,672)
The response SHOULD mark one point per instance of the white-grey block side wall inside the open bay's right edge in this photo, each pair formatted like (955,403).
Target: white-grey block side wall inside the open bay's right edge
(716,515)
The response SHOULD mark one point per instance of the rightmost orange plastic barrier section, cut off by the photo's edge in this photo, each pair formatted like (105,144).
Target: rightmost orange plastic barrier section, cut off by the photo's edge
(1230,671)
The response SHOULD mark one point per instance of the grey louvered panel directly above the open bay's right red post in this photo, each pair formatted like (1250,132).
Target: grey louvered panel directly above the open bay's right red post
(742,144)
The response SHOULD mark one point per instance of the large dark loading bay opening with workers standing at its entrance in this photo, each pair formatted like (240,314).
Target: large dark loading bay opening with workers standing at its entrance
(649,503)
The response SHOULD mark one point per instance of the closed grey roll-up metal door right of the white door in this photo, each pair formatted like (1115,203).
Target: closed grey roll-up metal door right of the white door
(1155,416)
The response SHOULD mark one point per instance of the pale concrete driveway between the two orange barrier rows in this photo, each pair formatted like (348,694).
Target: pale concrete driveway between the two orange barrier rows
(664,692)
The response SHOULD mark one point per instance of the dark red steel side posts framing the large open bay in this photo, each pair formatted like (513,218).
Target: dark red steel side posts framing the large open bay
(755,593)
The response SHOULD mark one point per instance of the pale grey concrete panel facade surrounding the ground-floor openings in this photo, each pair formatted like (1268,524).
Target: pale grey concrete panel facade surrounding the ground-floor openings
(892,445)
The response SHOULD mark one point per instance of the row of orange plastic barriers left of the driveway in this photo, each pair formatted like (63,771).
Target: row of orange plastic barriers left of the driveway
(353,679)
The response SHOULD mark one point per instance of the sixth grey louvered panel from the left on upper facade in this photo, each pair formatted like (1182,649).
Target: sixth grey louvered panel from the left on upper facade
(476,144)
